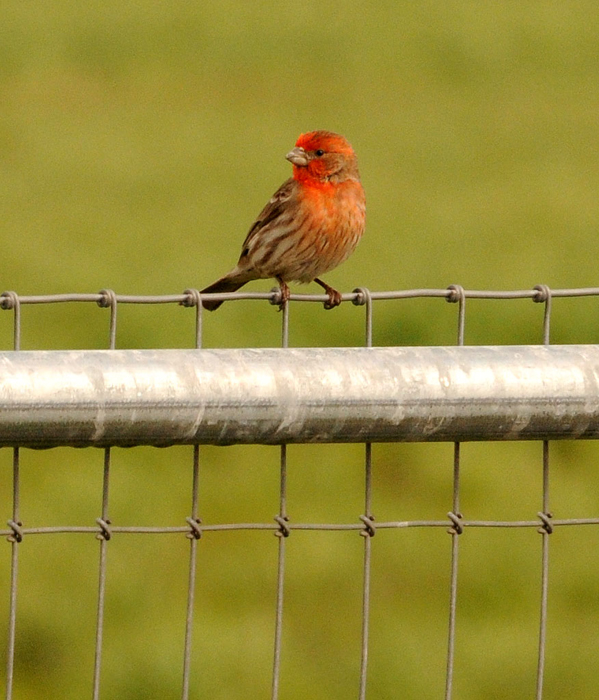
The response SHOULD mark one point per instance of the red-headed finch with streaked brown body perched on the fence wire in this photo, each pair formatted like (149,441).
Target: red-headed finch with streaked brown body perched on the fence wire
(311,224)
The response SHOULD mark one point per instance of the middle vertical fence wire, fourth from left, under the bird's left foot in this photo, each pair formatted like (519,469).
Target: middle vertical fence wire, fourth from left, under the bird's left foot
(283,532)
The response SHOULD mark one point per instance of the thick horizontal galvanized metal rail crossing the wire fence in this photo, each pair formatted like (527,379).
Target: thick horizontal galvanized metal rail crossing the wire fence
(275,396)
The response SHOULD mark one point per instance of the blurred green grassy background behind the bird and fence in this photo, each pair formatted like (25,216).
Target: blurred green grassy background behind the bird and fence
(138,141)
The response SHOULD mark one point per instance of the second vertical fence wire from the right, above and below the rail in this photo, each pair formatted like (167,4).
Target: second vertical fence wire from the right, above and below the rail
(455,514)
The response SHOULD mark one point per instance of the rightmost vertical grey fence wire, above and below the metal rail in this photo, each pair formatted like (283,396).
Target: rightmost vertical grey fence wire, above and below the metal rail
(544,296)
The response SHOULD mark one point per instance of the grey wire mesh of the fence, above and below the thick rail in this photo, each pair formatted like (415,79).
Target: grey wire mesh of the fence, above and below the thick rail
(365,524)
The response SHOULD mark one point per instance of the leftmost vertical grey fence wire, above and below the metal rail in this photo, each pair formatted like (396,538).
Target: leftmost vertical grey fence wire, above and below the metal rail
(11,300)
